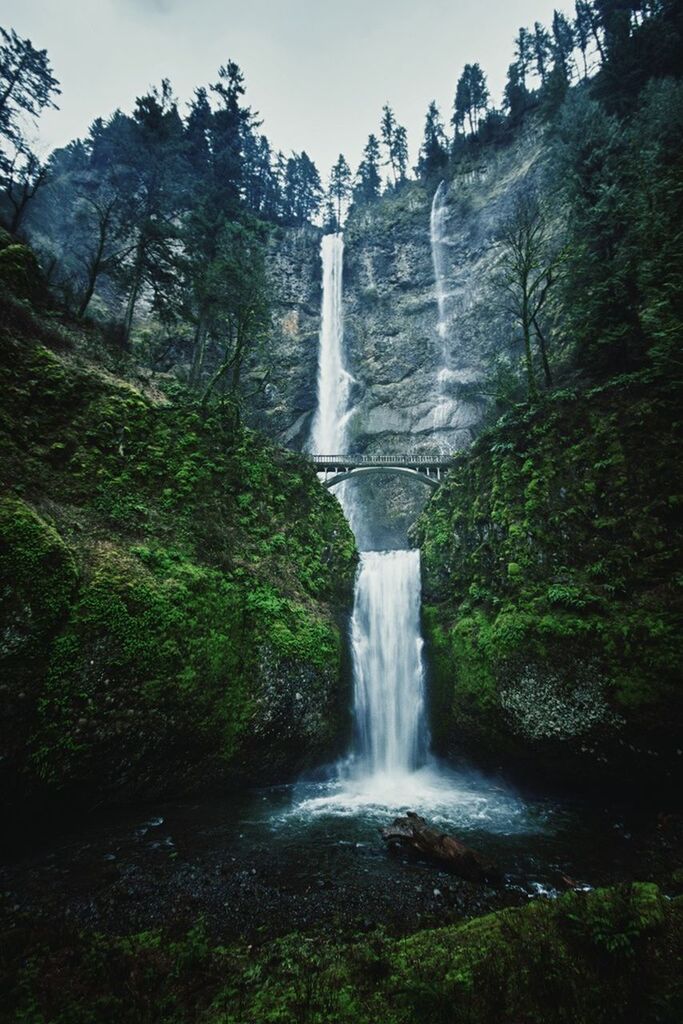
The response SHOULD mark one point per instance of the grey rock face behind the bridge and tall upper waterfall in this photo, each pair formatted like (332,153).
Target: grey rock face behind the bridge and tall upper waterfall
(421,333)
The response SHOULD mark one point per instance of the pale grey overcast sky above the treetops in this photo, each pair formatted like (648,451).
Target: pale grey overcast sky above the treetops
(317,71)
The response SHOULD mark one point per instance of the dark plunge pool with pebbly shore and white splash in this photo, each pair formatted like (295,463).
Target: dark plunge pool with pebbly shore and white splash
(310,856)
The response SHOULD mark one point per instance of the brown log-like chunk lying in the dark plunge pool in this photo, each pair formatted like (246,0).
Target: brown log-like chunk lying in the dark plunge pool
(413,833)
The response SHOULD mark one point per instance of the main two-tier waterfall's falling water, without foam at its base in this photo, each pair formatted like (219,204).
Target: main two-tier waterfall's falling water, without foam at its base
(391,733)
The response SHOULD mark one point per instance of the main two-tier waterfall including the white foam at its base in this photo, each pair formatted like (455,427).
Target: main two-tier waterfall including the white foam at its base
(390,766)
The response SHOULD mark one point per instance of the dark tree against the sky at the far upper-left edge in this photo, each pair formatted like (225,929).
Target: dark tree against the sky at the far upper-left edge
(27,88)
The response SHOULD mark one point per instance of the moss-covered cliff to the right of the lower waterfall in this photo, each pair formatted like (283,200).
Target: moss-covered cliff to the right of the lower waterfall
(552,585)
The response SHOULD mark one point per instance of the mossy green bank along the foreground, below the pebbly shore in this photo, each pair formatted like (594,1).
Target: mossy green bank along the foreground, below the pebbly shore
(610,957)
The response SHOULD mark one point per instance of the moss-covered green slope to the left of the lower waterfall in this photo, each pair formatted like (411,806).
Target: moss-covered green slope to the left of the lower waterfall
(173,589)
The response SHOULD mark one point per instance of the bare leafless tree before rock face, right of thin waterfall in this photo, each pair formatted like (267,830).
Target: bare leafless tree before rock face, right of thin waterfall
(529,269)
